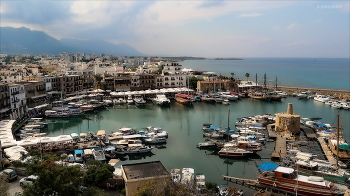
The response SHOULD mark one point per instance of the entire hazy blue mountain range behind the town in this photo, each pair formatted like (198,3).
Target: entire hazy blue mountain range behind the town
(25,41)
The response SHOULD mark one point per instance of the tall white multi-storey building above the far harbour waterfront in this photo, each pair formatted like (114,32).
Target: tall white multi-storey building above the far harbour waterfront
(173,76)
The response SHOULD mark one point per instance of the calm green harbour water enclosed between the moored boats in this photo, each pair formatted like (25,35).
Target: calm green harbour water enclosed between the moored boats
(184,125)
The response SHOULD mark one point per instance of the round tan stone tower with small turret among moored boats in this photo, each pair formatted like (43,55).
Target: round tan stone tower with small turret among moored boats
(288,122)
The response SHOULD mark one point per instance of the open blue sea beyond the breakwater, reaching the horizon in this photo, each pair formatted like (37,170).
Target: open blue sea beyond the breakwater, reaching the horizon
(323,73)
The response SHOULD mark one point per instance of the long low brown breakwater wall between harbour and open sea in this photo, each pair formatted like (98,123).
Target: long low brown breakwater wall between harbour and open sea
(339,94)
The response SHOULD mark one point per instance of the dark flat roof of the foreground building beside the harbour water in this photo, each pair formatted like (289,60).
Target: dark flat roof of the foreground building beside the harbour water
(144,170)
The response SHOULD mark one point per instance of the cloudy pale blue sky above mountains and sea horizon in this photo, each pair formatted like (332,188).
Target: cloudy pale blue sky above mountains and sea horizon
(194,28)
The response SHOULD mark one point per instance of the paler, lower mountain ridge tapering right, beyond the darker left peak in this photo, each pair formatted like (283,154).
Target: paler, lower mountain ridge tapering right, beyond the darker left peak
(101,46)
